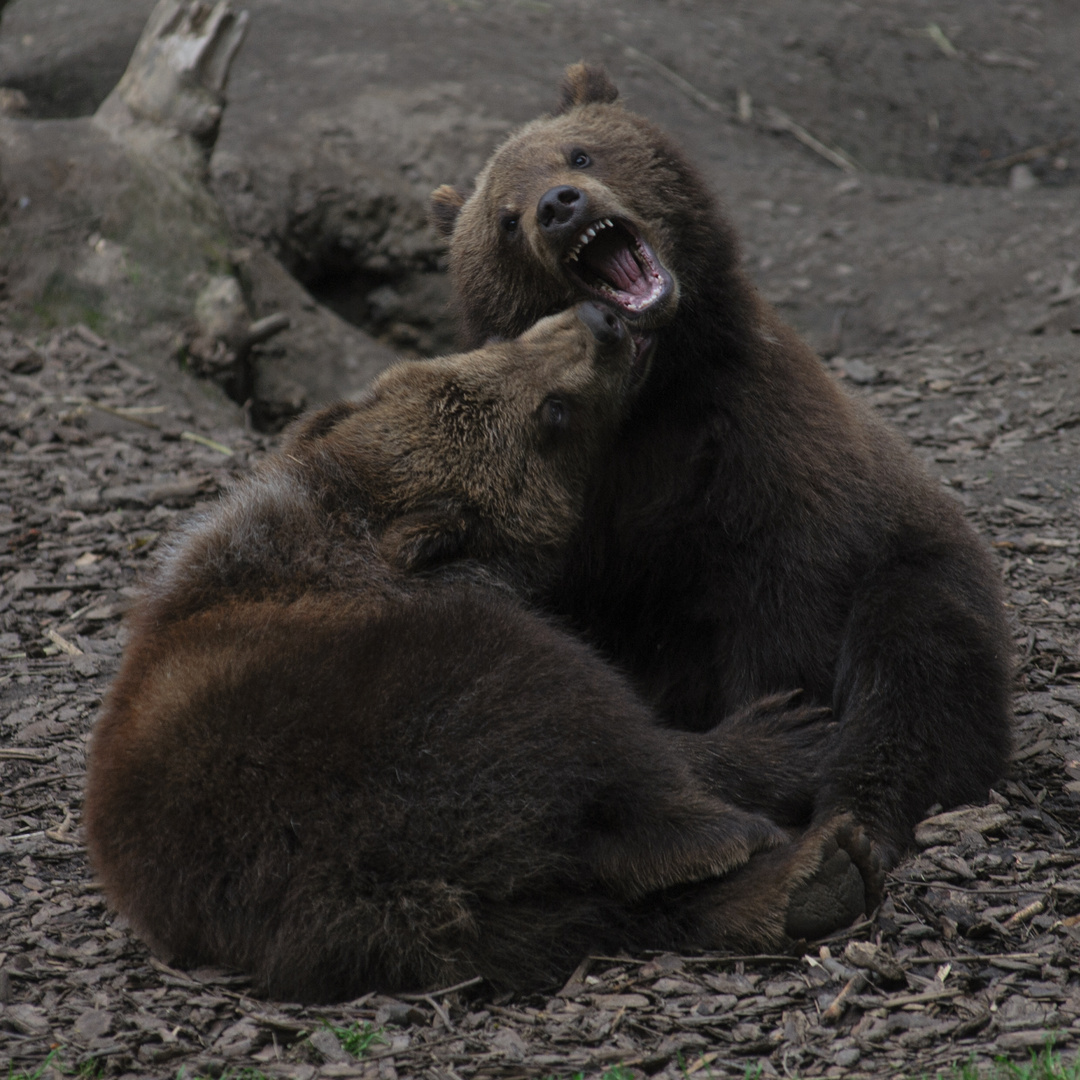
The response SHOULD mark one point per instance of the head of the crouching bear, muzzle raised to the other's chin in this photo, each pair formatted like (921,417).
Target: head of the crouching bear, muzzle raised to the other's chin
(483,455)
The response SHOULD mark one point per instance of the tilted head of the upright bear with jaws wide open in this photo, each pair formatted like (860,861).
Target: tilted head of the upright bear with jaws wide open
(592,202)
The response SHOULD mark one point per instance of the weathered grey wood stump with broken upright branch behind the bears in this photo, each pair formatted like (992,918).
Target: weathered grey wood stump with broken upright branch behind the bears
(109,221)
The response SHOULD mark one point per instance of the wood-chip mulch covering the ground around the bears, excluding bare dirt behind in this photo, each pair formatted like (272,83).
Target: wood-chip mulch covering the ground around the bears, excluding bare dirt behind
(974,953)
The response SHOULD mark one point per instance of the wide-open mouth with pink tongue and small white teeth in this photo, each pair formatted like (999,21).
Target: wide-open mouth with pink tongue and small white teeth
(614,264)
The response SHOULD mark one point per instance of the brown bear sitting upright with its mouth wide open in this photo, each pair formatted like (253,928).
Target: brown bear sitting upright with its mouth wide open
(753,529)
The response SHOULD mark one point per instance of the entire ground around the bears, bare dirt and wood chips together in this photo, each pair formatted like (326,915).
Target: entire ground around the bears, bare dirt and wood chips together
(938,274)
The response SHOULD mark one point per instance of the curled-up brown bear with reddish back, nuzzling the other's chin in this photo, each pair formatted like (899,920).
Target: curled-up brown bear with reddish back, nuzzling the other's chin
(344,754)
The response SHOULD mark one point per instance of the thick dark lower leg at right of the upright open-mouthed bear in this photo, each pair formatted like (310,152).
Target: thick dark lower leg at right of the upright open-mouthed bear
(923,699)
